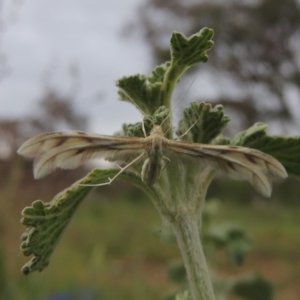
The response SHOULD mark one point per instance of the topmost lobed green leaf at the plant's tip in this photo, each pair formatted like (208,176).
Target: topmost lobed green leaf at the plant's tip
(189,51)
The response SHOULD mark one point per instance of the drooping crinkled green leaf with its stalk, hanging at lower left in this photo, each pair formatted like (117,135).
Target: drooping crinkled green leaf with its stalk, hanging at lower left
(46,221)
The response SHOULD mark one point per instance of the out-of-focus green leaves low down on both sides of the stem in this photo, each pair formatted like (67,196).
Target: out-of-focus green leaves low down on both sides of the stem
(231,239)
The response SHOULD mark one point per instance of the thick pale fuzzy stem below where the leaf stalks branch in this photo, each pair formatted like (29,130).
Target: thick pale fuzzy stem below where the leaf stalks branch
(186,230)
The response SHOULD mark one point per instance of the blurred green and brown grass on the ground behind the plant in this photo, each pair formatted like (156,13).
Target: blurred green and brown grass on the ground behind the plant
(112,249)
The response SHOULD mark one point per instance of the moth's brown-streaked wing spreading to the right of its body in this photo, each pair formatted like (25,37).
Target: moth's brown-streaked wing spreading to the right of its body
(238,162)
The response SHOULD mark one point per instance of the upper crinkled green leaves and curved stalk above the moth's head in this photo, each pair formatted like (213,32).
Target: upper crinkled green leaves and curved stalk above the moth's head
(150,93)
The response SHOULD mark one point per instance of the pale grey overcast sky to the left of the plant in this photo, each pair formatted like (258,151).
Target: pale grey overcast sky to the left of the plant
(41,36)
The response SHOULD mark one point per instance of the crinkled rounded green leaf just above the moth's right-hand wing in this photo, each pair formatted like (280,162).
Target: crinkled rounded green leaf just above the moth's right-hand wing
(201,122)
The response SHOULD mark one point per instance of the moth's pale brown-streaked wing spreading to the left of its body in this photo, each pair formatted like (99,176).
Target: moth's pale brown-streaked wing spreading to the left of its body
(69,150)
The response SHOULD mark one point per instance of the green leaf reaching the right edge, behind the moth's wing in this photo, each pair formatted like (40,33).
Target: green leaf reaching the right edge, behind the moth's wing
(284,149)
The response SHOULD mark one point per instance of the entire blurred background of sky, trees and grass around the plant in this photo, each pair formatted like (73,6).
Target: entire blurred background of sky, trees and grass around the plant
(58,64)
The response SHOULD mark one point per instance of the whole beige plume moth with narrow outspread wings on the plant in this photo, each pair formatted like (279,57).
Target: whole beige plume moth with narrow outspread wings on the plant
(68,150)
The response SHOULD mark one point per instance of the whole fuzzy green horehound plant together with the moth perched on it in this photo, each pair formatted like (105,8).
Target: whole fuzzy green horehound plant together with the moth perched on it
(175,174)
